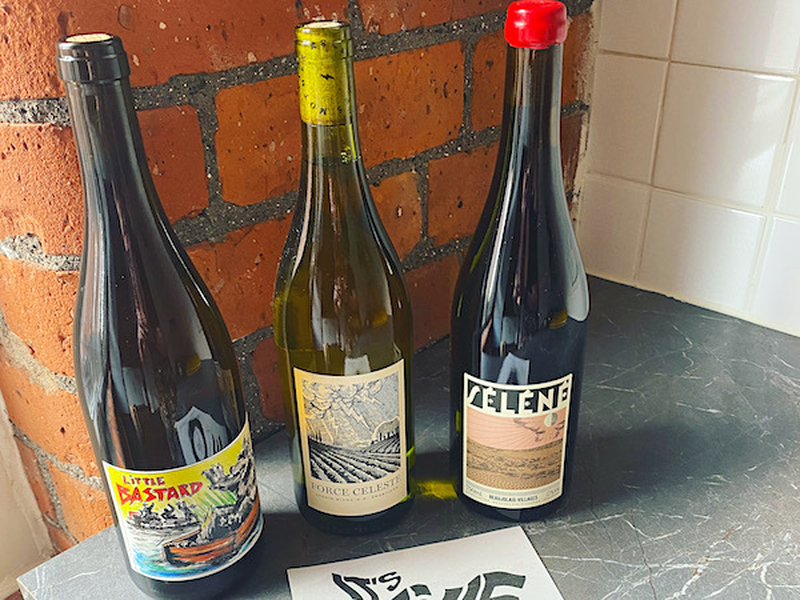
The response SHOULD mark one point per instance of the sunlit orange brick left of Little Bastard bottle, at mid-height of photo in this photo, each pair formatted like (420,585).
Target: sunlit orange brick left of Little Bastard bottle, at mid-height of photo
(44,319)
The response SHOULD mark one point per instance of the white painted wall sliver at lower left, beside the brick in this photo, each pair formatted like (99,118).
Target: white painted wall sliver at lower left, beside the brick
(25,543)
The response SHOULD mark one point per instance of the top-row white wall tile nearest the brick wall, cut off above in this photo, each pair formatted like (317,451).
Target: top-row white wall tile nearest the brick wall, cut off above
(642,27)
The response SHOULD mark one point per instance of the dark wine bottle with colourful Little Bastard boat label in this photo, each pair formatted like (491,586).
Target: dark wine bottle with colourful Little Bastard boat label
(155,368)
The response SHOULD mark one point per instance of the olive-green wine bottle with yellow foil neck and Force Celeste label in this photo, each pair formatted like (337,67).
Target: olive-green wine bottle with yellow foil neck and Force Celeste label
(342,315)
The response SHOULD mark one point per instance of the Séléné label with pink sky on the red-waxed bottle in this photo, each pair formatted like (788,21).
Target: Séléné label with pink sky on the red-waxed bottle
(514,441)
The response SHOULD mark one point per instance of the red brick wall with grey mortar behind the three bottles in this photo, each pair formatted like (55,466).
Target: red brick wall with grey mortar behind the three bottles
(216,90)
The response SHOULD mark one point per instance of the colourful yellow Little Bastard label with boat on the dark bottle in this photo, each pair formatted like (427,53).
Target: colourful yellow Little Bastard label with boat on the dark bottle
(190,522)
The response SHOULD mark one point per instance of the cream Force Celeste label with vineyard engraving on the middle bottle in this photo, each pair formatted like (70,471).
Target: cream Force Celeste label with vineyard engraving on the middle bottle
(352,432)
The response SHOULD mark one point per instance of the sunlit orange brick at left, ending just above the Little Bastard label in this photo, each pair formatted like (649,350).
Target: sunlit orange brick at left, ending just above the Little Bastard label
(53,420)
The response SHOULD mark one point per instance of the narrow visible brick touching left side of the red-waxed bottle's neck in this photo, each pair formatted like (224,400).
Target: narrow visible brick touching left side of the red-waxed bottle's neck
(488,80)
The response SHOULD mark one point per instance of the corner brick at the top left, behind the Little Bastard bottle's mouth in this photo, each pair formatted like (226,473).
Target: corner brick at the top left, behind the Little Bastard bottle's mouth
(162,39)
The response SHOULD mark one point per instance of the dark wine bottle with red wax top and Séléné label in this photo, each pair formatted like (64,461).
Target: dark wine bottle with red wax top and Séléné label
(521,301)
